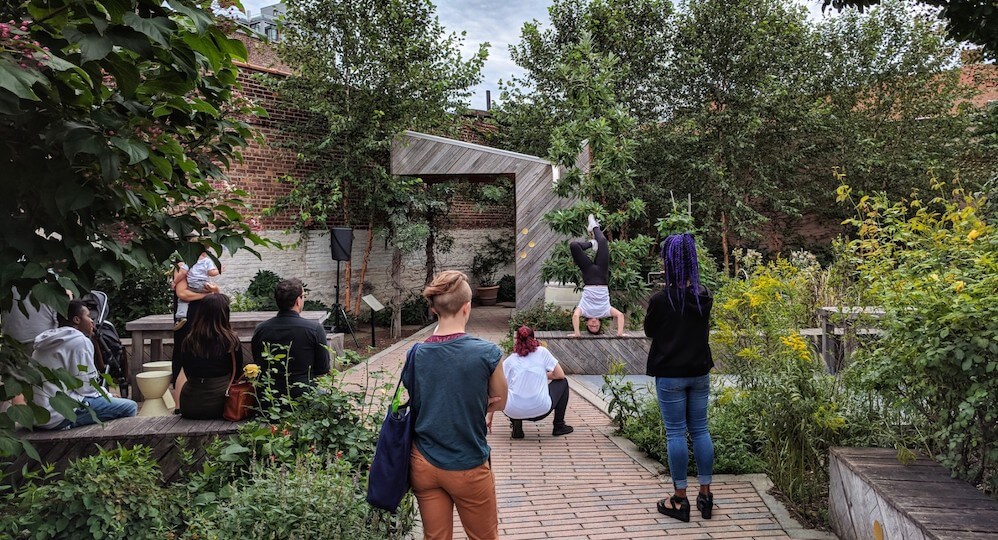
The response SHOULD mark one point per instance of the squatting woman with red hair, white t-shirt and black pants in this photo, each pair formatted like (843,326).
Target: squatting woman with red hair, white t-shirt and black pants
(536,383)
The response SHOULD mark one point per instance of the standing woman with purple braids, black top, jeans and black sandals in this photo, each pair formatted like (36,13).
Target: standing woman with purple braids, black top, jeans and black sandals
(679,359)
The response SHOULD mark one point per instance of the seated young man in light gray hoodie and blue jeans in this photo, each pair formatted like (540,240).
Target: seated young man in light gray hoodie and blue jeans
(69,347)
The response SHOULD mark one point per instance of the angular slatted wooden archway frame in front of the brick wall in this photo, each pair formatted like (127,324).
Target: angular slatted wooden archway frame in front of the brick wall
(417,154)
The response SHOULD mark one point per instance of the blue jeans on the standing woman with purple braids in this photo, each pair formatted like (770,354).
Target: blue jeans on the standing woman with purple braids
(683,403)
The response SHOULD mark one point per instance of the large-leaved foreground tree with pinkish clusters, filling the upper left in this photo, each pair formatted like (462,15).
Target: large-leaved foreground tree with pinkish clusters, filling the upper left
(117,121)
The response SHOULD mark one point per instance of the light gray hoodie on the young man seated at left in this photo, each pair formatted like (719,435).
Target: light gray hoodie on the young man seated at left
(66,348)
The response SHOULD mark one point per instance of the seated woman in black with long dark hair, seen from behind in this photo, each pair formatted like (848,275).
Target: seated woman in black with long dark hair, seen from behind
(207,355)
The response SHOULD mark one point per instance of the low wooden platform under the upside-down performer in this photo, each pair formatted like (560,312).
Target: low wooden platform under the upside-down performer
(592,355)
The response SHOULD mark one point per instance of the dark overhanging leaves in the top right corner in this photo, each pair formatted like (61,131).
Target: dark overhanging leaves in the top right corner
(975,21)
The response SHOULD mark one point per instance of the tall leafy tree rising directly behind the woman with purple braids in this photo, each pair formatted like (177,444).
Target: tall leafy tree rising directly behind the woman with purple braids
(739,91)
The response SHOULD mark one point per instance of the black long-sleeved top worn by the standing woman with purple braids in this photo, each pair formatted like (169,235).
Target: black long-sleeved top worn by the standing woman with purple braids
(679,332)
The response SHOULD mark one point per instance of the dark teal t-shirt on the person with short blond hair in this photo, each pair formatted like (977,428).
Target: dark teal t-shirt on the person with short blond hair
(449,396)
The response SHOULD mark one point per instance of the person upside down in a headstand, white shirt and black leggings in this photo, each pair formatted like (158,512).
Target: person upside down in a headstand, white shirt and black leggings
(595,302)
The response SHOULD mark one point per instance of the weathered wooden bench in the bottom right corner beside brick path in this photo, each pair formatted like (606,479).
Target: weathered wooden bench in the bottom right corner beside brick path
(873,495)
